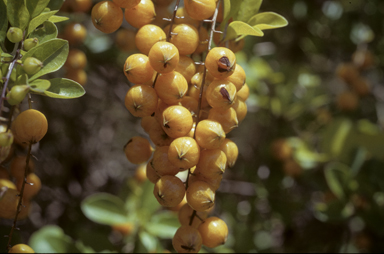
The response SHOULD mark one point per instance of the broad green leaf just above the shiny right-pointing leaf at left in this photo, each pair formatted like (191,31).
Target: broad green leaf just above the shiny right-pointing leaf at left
(52,54)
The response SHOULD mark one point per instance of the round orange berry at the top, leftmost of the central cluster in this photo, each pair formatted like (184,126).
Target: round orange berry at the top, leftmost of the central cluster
(107,16)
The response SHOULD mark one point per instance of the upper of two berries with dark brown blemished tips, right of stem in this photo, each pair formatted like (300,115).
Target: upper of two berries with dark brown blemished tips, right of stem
(220,62)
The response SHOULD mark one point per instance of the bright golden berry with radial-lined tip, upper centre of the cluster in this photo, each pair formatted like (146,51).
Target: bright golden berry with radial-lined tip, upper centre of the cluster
(164,57)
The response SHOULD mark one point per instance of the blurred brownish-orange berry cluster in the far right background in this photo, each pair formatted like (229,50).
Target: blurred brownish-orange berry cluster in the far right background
(350,73)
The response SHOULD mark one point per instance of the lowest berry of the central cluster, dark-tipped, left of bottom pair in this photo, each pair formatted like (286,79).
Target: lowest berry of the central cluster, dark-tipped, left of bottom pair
(187,239)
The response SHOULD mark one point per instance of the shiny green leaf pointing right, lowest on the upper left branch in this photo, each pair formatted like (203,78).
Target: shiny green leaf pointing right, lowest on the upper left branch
(62,88)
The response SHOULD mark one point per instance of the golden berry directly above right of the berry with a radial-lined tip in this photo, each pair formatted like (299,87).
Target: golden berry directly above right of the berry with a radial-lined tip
(185,37)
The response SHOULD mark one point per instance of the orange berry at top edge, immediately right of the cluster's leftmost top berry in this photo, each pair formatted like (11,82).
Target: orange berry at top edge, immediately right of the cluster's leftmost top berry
(140,15)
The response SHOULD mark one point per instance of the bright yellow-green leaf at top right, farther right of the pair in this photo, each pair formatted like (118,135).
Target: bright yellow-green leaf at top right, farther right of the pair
(267,20)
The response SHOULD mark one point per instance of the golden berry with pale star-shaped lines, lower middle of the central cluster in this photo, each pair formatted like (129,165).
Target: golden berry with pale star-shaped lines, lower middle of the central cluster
(184,152)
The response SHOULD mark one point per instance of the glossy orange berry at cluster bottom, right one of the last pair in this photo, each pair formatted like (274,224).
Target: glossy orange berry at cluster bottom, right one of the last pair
(213,231)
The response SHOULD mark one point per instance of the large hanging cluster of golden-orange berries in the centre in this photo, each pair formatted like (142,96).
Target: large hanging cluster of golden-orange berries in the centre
(187,109)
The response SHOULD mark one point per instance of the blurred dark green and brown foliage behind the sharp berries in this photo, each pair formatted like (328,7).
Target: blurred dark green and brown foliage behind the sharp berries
(309,176)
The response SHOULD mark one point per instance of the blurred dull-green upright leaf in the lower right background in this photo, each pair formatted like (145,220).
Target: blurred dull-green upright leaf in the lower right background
(337,175)
